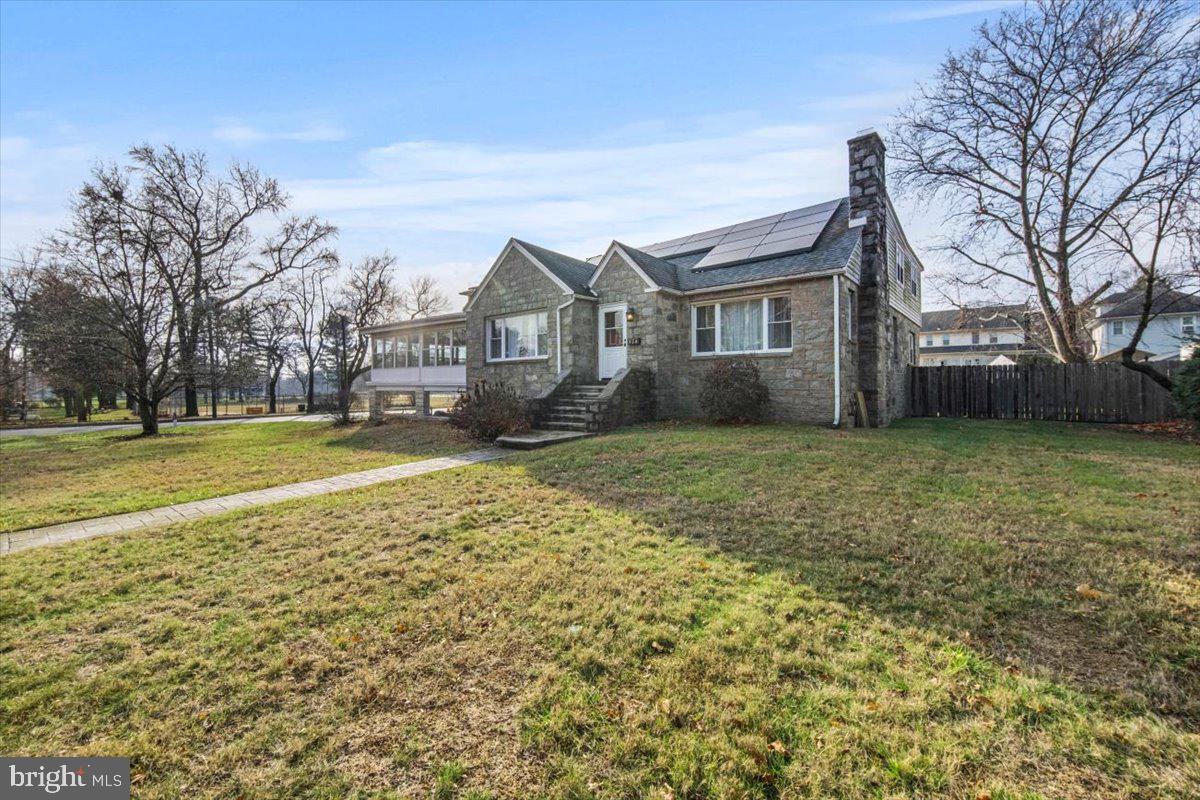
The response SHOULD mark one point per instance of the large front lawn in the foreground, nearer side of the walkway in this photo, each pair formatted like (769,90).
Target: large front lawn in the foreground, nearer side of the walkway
(670,612)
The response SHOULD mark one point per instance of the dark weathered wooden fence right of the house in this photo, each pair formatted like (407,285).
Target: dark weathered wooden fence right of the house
(1075,393)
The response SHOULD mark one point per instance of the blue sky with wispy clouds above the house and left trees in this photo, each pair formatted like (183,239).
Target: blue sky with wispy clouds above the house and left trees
(437,131)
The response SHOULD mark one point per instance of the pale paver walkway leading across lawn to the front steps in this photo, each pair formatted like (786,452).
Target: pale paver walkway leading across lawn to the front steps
(69,532)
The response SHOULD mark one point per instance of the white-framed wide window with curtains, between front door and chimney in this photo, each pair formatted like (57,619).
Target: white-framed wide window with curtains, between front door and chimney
(758,326)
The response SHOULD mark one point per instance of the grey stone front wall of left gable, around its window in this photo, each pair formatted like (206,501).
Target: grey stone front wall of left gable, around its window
(518,287)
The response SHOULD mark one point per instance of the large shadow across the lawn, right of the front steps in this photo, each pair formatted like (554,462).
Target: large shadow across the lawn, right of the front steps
(982,532)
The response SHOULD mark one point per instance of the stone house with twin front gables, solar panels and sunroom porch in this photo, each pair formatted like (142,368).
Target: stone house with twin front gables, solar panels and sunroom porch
(826,299)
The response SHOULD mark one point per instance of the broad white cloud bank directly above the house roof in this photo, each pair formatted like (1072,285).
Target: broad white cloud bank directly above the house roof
(580,199)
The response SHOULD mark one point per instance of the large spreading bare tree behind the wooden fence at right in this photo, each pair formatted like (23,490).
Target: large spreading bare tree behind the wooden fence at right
(1043,136)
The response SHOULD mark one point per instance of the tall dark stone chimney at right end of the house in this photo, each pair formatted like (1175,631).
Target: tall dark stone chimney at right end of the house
(869,209)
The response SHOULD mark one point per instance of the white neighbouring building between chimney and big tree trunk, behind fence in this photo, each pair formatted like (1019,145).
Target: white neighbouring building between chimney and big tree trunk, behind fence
(962,338)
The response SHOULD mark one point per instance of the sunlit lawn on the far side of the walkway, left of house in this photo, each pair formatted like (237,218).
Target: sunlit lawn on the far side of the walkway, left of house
(59,479)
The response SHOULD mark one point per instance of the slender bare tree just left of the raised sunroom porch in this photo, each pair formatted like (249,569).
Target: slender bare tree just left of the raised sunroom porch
(368,298)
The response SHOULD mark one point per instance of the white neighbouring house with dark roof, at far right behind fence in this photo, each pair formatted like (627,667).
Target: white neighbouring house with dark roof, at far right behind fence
(1171,334)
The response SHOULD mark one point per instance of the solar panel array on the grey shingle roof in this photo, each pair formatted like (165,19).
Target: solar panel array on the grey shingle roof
(776,236)
